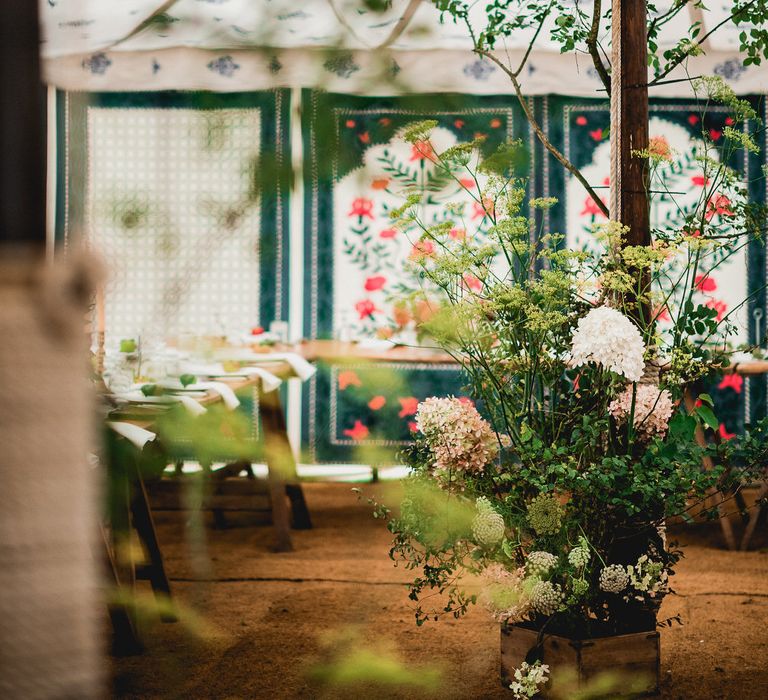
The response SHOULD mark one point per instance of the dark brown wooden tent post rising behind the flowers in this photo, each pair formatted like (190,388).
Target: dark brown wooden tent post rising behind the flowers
(629,127)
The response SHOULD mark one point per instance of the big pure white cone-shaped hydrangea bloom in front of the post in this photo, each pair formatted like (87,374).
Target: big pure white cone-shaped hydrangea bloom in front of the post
(609,338)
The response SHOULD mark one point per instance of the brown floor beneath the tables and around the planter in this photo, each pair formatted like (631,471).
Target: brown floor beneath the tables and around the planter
(304,624)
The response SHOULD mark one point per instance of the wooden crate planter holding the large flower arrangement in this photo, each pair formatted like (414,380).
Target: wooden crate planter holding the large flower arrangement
(632,658)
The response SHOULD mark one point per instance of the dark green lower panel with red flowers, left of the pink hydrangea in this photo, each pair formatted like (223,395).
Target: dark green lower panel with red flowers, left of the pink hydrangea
(368,411)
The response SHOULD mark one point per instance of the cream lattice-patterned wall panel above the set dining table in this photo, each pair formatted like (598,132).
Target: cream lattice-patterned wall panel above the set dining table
(173,204)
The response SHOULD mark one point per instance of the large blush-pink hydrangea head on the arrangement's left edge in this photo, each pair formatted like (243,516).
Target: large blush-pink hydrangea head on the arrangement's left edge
(459,438)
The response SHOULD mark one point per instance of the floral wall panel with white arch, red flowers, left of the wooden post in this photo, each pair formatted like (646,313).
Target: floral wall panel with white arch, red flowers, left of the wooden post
(359,169)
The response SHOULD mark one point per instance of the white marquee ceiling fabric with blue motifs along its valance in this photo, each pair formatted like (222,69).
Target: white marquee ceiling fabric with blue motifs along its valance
(236,45)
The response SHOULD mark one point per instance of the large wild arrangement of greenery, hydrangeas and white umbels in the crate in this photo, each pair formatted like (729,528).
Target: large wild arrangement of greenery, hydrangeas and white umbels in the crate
(553,483)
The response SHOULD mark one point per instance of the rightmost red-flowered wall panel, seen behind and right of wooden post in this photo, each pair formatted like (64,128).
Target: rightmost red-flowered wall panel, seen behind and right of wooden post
(678,186)
